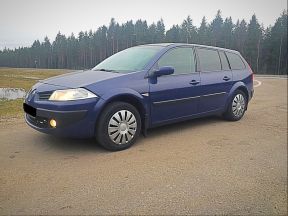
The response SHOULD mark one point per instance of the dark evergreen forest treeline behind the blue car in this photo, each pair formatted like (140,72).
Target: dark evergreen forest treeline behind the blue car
(265,49)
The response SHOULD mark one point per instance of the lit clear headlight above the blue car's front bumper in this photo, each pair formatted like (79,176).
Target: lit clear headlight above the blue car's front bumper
(71,94)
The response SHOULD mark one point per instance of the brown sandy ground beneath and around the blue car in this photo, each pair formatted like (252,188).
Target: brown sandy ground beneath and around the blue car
(207,166)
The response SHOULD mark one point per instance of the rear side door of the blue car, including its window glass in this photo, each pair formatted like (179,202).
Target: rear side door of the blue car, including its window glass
(216,79)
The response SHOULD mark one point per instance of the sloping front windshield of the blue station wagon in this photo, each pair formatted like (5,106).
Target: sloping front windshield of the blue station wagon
(128,60)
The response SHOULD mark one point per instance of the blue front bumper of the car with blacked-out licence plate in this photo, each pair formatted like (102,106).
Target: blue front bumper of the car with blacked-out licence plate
(74,119)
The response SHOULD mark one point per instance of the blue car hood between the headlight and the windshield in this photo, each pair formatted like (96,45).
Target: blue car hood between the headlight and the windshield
(80,78)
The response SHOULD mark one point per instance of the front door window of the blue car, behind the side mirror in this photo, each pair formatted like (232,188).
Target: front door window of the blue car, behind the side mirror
(181,59)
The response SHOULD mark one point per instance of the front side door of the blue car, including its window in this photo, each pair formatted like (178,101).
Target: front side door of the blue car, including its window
(175,96)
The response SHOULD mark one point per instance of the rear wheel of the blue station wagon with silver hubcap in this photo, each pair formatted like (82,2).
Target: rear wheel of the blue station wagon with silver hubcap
(236,107)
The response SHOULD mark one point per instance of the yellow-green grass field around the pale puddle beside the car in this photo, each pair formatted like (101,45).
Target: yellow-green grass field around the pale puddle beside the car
(23,78)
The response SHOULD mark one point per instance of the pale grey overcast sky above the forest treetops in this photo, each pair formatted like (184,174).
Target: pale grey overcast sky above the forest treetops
(23,21)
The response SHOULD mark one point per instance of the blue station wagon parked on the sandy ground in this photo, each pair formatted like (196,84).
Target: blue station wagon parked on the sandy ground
(140,88)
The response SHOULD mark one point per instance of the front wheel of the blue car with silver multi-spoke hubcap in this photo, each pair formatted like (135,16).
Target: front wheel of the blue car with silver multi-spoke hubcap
(118,127)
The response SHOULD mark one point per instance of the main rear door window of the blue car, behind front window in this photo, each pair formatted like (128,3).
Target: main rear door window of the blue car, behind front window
(209,60)
